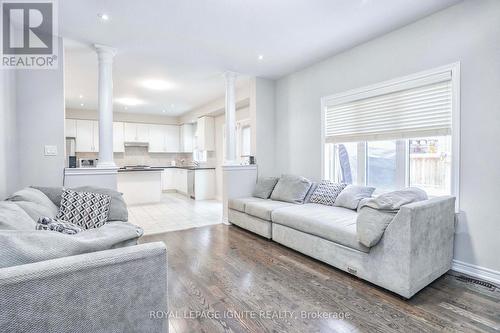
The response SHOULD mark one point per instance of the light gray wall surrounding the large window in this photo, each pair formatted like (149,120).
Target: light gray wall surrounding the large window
(468,32)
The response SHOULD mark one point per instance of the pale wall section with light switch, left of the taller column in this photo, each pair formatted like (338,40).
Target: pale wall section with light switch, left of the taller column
(40,122)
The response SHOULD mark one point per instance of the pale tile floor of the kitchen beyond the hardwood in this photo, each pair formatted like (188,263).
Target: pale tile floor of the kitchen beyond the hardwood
(175,212)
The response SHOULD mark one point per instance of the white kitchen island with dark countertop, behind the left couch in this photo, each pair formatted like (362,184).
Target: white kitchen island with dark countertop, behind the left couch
(140,185)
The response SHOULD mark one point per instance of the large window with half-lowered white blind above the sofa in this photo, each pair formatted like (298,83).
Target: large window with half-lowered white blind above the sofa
(395,134)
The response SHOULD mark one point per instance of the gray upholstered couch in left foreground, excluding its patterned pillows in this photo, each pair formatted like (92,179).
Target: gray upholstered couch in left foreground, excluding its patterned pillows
(98,280)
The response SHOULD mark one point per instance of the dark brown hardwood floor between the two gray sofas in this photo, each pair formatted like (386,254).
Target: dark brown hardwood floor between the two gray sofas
(219,271)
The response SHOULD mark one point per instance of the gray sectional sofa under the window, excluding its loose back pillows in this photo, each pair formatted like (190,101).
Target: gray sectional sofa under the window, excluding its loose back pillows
(415,249)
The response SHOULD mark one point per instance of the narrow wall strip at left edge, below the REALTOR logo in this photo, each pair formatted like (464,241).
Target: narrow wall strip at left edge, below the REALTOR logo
(8,142)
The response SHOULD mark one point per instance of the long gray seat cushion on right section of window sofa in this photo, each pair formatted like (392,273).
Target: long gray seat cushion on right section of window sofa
(335,224)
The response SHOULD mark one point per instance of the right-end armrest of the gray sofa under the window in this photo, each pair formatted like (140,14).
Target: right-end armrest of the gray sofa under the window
(420,239)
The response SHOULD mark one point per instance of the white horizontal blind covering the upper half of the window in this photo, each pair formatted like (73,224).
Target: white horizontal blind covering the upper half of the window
(408,109)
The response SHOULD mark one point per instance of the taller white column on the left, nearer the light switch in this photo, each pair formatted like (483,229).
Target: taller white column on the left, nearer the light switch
(105,56)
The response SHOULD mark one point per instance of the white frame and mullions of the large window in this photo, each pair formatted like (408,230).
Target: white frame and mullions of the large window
(385,87)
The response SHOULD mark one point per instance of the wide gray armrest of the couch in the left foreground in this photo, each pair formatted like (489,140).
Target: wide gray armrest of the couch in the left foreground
(106,291)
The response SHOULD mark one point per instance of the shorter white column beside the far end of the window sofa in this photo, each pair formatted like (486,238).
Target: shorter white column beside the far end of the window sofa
(230,79)
